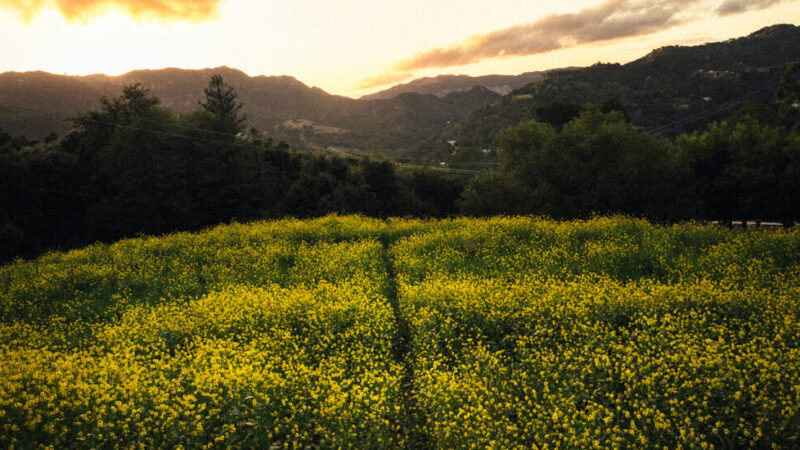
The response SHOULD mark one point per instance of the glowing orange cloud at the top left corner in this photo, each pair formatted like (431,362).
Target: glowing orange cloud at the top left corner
(82,10)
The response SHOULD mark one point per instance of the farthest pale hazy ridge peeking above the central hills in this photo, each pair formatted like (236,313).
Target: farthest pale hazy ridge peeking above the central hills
(447,84)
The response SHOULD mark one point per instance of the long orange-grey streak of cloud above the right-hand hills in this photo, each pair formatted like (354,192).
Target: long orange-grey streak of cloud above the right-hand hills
(613,19)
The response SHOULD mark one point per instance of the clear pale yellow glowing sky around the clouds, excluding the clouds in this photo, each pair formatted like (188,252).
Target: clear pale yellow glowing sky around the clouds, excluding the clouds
(334,45)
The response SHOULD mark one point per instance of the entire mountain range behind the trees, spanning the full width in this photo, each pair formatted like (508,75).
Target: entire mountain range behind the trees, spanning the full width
(672,90)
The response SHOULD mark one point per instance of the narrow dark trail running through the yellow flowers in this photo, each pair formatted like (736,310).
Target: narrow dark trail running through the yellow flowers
(414,417)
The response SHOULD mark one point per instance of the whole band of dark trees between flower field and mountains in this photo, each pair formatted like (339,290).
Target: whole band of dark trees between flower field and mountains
(134,167)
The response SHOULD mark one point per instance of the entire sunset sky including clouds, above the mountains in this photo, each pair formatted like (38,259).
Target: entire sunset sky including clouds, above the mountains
(354,47)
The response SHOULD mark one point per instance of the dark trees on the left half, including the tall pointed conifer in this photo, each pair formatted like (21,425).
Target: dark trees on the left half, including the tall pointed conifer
(134,167)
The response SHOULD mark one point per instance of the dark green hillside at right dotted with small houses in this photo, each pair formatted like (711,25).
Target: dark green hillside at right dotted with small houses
(672,90)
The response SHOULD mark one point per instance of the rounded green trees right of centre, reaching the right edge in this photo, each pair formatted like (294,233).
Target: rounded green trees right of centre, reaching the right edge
(744,168)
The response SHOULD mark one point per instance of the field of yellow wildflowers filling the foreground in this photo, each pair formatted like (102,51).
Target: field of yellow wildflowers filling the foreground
(355,332)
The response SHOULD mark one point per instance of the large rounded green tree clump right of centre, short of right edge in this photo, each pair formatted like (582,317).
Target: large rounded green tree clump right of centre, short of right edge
(598,163)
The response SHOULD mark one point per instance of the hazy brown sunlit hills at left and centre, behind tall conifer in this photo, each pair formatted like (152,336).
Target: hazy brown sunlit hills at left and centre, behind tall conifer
(36,103)
